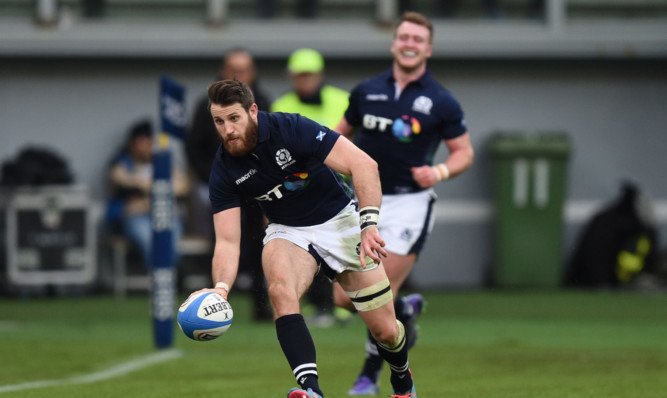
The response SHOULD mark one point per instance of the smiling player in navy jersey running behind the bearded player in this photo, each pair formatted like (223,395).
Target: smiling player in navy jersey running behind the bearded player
(402,116)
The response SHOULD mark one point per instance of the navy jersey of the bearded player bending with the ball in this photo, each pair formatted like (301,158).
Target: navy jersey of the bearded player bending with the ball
(285,172)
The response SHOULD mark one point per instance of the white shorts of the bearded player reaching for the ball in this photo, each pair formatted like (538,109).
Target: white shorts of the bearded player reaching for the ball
(335,241)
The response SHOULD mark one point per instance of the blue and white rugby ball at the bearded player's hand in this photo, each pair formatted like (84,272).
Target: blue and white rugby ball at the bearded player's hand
(205,316)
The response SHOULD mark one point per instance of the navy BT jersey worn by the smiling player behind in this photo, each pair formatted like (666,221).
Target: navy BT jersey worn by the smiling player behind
(404,132)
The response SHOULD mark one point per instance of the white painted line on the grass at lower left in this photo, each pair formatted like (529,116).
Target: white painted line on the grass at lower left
(116,371)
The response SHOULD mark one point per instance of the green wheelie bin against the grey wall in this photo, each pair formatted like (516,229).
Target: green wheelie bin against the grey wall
(529,174)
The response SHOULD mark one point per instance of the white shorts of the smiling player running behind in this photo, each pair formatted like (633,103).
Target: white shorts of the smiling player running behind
(406,221)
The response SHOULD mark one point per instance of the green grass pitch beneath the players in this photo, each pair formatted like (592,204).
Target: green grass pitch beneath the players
(473,344)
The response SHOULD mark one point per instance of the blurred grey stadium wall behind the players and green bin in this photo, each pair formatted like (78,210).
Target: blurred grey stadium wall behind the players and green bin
(614,111)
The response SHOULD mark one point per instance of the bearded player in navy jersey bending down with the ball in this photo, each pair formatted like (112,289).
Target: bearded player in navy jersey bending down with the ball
(286,162)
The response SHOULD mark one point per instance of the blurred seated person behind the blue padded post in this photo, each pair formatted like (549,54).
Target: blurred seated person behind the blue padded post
(130,177)
